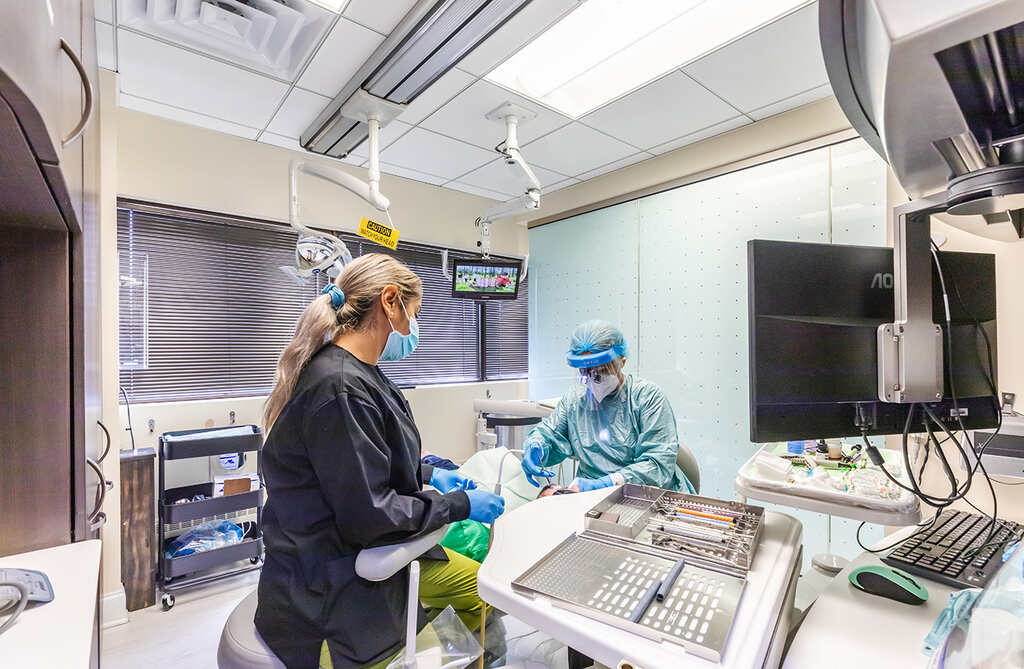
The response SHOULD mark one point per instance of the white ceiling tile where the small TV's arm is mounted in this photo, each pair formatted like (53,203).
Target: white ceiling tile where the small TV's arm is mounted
(464,117)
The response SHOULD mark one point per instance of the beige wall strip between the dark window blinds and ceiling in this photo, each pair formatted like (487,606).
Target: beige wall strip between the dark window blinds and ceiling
(174,163)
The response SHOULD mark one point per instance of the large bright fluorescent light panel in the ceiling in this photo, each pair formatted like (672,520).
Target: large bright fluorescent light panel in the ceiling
(606,49)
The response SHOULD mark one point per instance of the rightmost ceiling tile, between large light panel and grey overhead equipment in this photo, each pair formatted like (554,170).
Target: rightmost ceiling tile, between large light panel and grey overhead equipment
(777,62)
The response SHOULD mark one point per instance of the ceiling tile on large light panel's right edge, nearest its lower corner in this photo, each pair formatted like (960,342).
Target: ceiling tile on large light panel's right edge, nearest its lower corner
(666,109)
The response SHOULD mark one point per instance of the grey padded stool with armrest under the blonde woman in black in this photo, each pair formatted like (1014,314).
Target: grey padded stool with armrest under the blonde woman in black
(243,648)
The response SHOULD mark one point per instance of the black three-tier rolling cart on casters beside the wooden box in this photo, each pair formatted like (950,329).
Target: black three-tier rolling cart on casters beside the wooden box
(176,574)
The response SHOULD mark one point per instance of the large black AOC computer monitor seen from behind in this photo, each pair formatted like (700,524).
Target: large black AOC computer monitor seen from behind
(815,313)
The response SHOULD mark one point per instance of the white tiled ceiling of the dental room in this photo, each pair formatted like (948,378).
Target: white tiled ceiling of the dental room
(272,91)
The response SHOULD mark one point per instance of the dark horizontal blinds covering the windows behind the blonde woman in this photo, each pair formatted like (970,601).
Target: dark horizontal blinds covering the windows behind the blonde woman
(205,311)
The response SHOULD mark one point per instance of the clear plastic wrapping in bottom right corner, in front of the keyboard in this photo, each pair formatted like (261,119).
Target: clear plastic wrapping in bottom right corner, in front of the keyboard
(993,635)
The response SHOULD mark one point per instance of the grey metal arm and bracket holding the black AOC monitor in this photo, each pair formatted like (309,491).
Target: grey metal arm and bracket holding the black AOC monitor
(911,349)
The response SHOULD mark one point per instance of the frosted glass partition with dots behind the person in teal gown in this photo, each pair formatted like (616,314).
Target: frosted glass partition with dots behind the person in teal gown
(672,267)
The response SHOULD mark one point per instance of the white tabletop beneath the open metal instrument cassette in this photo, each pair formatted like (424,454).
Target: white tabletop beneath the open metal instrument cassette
(528,534)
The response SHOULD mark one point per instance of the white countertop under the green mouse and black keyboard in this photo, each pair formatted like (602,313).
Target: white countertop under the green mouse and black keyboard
(877,633)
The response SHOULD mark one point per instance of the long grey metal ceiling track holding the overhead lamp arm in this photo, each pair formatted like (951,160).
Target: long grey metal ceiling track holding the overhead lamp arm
(434,37)
